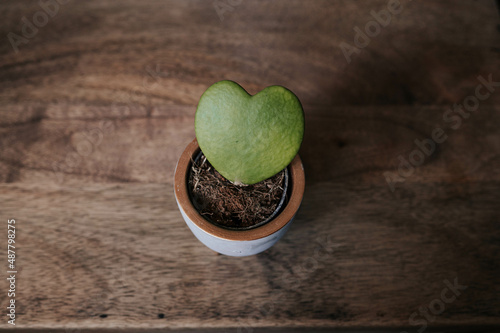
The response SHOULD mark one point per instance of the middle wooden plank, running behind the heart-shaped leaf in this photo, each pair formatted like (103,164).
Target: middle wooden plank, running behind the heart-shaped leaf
(113,144)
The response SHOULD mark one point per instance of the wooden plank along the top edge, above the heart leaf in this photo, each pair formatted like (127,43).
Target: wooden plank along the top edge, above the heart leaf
(157,53)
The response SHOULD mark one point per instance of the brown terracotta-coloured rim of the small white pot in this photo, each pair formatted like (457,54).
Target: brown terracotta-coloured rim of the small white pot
(297,184)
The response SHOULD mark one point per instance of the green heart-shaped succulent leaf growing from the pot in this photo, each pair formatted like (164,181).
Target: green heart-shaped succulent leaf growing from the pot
(248,138)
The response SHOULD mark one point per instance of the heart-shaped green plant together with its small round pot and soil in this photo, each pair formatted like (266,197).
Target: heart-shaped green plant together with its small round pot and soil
(240,182)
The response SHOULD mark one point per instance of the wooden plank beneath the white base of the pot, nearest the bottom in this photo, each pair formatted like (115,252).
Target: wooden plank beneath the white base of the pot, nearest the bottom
(122,250)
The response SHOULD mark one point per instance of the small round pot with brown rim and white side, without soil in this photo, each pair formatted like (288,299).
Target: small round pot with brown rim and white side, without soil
(237,243)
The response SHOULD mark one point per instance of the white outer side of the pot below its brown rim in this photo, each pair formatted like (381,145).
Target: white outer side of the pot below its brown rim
(232,247)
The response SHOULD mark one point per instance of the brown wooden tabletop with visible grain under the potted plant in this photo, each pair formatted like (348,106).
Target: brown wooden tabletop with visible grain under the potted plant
(98,104)
